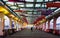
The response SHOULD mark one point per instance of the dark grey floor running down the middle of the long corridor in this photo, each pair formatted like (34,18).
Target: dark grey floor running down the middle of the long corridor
(32,34)
